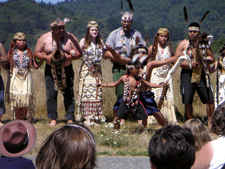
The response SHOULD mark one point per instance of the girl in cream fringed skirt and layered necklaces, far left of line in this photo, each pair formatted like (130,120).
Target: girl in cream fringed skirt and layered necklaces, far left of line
(20,87)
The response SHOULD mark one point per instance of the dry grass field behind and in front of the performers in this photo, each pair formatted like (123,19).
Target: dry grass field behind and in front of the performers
(108,142)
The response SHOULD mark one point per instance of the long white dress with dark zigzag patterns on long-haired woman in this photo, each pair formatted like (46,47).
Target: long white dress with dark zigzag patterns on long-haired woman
(90,105)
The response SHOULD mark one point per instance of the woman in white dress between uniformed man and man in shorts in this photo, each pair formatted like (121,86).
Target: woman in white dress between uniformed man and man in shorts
(160,50)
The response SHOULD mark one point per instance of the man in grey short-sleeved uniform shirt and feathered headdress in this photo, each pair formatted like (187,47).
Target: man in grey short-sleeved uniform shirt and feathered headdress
(122,40)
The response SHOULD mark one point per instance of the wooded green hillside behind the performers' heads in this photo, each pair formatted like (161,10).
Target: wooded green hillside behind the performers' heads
(33,18)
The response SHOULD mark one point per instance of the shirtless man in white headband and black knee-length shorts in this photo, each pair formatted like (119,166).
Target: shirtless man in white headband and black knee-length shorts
(188,88)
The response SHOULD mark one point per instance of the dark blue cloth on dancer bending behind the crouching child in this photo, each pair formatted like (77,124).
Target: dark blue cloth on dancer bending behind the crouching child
(147,99)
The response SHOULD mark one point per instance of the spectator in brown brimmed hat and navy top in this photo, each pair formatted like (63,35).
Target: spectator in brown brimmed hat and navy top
(17,138)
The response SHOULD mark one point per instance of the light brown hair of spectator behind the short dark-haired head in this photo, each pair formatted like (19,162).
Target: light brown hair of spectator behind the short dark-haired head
(199,132)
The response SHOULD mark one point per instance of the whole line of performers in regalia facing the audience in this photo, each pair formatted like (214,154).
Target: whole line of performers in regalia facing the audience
(140,74)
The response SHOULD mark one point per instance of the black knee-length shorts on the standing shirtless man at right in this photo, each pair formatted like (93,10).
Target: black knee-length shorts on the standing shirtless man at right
(188,89)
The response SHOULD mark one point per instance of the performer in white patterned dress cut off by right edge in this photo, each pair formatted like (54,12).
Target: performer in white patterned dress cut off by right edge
(220,81)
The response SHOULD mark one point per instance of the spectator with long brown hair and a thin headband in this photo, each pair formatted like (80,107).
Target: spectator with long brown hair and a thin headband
(69,147)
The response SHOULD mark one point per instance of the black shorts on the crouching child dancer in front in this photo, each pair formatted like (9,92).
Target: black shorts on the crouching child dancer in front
(140,112)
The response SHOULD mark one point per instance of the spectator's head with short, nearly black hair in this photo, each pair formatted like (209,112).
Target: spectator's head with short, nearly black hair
(172,147)
